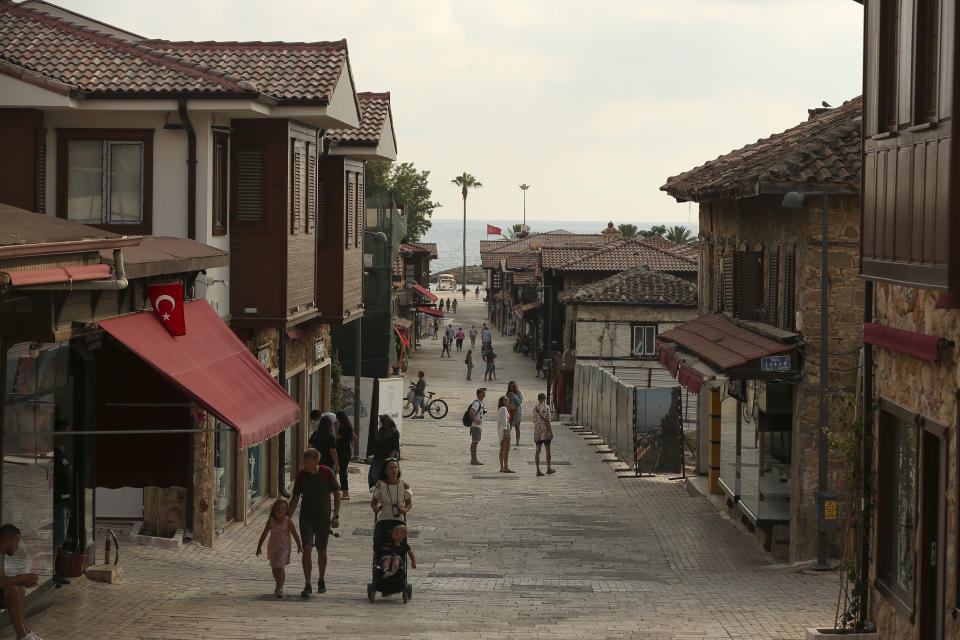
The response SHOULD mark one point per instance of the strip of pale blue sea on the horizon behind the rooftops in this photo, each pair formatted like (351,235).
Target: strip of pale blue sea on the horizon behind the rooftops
(448,234)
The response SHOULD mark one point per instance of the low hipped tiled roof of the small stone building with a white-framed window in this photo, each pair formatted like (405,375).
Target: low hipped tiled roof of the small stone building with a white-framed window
(638,285)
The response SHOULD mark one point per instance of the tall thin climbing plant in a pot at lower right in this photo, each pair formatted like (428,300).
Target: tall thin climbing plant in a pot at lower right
(847,441)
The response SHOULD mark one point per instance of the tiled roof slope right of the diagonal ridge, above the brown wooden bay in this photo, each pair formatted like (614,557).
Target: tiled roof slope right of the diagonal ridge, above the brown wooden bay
(295,71)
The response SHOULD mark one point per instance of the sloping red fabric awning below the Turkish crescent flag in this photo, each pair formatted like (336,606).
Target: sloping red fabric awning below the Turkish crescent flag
(211,365)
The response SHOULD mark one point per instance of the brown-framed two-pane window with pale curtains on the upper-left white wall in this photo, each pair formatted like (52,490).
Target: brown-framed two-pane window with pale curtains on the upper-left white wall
(105,177)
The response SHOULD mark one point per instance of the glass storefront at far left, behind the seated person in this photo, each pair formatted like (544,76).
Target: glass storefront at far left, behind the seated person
(38,392)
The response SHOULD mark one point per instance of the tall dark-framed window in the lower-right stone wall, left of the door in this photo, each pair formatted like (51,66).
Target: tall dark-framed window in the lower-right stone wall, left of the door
(896,504)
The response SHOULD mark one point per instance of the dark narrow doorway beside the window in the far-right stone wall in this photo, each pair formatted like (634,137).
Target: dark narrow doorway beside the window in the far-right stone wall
(933,463)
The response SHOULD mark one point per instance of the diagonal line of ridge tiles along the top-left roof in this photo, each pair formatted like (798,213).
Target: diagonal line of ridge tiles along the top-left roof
(132,47)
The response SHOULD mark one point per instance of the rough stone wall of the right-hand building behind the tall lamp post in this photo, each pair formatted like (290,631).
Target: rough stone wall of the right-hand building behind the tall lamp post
(762,224)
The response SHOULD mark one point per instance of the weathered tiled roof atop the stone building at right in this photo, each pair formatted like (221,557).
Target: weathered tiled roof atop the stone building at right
(824,150)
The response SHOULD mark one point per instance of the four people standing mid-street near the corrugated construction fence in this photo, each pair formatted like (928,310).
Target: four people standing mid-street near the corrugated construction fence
(509,414)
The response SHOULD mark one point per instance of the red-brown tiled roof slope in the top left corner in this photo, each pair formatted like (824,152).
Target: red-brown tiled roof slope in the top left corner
(40,46)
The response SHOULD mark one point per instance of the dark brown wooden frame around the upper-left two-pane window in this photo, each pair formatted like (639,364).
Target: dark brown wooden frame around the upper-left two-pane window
(141,136)
